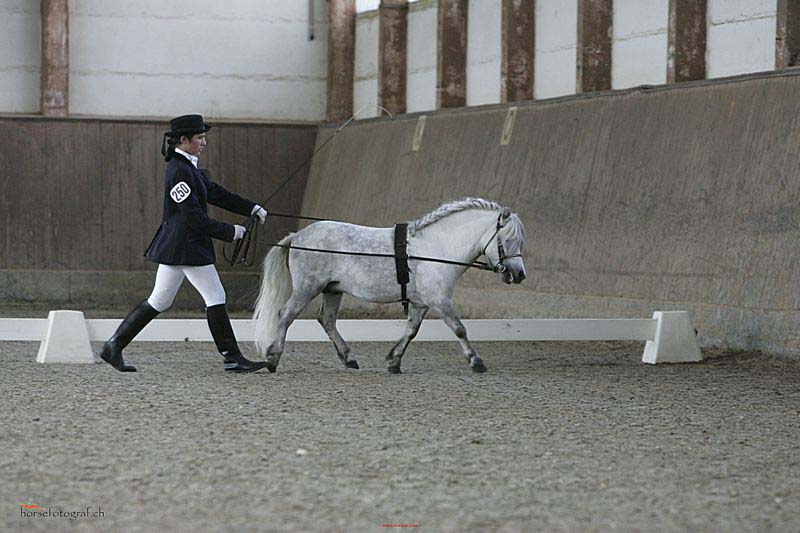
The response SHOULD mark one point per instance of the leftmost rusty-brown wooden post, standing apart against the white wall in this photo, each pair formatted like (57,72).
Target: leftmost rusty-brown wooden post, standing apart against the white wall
(55,58)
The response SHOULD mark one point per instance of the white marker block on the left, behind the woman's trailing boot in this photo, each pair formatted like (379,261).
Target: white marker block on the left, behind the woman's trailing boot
(66,339)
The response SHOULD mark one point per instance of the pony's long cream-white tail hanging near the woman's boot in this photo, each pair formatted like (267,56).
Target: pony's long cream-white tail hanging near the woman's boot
(276,288)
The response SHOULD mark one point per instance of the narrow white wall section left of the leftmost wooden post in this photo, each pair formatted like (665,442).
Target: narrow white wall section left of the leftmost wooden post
(20,56)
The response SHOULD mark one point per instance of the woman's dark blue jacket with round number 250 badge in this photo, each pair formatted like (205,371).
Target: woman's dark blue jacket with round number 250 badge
(184,237)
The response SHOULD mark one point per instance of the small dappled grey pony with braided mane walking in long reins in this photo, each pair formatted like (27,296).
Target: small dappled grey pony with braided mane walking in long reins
(460,231)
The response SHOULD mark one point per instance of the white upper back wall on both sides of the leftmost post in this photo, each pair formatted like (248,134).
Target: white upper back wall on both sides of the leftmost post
(232,59)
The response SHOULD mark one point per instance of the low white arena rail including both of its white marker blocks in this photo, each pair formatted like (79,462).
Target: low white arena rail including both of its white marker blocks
(65,335)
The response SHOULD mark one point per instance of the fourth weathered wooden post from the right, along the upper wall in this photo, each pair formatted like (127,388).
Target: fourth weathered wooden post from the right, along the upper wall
(519,40)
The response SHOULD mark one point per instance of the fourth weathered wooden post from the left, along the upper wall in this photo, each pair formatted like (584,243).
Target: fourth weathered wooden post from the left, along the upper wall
(451,65)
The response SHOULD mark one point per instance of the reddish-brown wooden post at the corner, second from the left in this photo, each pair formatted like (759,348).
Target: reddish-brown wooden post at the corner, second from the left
(341,59)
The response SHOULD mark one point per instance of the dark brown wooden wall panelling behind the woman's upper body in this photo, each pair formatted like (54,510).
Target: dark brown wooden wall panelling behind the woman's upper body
(87,194)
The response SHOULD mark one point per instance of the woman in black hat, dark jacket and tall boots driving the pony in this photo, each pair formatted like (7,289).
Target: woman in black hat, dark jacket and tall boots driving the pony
(182,246)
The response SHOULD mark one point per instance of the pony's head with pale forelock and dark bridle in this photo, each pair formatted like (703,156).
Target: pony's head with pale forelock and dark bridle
(504,247)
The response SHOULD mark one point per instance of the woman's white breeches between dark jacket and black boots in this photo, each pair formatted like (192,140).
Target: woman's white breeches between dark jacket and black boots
(169,278)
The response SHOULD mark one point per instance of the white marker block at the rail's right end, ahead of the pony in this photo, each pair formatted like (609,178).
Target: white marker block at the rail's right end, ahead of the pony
(675,340)
